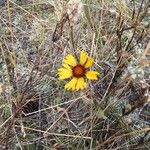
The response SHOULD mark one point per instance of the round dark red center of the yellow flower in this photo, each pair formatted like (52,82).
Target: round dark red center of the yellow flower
(78,71)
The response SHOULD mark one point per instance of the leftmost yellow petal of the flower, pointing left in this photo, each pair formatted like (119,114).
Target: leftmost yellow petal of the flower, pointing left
(64,73)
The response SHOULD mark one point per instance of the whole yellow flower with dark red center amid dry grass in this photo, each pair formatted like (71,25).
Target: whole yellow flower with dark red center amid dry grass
(78,71)
